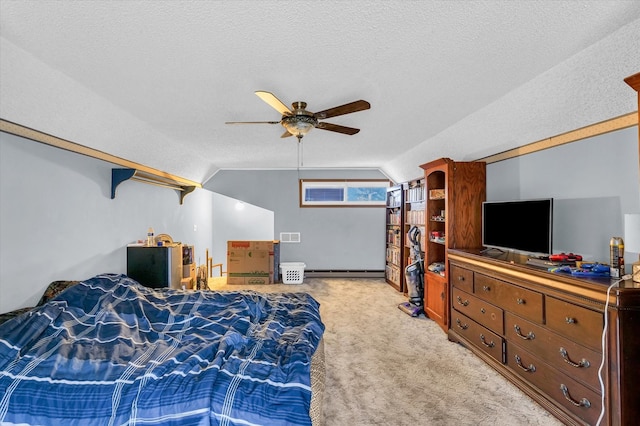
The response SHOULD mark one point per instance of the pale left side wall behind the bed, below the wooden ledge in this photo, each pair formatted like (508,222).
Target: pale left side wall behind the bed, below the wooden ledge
(58,221)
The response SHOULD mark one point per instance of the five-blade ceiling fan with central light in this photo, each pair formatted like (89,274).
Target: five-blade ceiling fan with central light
(298,121)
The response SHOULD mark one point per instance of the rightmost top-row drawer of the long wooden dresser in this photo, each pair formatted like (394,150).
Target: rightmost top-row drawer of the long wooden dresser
(579,324)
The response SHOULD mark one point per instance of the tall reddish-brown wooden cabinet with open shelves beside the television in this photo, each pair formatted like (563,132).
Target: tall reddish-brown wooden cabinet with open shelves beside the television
(453,215)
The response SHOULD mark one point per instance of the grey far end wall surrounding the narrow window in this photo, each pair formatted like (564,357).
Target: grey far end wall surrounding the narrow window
(338,238)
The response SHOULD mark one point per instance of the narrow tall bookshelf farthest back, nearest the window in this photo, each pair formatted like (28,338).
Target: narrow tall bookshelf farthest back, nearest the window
(394,272)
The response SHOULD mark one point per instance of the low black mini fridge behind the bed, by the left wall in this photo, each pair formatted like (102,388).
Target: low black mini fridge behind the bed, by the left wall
(155,267)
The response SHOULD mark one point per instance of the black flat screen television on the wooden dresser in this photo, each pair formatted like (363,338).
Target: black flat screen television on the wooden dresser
(520,225)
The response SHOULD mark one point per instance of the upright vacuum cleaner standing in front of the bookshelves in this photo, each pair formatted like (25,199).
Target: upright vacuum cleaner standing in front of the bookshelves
(414,276)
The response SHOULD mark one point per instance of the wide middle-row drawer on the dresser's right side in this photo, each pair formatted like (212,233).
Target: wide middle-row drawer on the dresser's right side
(575,360)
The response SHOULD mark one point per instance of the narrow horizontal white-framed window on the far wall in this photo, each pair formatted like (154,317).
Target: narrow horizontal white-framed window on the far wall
(343,193)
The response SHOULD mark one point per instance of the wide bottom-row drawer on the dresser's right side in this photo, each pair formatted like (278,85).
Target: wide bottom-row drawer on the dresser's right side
(566,392)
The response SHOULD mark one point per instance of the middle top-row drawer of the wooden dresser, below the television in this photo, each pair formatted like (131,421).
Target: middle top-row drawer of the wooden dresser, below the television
(525,303)
